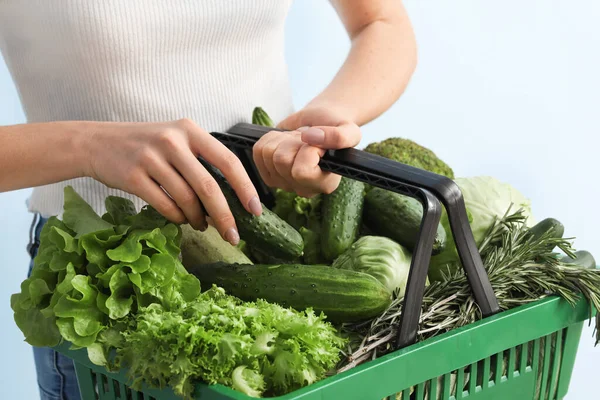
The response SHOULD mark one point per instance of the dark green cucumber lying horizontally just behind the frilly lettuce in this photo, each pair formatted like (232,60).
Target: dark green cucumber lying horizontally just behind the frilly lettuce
(342,295)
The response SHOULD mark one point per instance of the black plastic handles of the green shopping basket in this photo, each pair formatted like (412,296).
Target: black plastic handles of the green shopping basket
(430,189)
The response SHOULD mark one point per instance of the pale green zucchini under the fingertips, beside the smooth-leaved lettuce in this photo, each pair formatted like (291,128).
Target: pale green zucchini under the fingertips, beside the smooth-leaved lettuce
(208,247)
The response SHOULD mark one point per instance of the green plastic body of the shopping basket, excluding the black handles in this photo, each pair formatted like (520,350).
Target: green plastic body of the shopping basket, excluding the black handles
(524,353)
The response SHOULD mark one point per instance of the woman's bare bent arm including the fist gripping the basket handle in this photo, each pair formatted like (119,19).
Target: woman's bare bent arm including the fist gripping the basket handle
(374,75)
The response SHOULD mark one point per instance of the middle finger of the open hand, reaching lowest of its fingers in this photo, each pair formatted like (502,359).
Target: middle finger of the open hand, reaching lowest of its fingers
(210,194)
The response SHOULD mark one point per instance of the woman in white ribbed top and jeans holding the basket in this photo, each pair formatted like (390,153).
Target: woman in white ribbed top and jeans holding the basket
(119,97)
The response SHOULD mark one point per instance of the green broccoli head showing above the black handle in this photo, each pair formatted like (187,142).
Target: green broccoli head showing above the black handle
(408,152)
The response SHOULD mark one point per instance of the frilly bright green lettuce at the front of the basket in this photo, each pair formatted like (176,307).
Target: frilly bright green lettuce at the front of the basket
(257,348)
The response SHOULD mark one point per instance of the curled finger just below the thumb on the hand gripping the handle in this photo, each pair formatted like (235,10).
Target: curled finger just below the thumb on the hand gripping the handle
(308,174)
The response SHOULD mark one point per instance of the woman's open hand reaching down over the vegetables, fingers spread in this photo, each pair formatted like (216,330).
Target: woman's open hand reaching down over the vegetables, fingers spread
(145,158)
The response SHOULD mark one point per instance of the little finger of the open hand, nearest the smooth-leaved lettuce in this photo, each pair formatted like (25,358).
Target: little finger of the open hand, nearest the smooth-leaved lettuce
(145,188)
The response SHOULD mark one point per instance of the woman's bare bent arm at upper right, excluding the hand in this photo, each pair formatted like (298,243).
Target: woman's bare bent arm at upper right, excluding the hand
(382,59)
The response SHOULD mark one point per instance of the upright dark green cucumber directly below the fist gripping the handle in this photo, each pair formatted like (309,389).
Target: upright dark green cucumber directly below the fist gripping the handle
(342,216)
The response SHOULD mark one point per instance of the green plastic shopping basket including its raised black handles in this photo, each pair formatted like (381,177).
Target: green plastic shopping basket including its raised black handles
(524,353)
